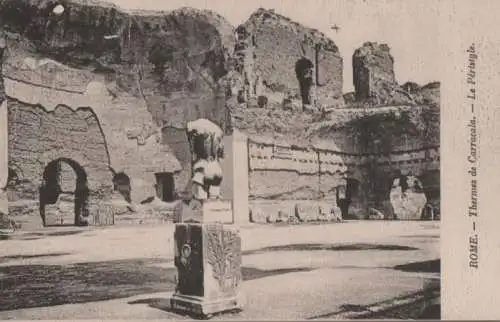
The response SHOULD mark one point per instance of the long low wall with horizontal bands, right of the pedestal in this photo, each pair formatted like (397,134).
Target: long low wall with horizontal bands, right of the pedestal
(280,175)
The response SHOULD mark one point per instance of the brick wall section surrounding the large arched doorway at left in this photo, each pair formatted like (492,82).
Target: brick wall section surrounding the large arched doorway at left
(34,134)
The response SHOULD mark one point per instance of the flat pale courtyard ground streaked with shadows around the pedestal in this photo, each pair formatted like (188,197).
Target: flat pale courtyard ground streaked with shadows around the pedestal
(348,270)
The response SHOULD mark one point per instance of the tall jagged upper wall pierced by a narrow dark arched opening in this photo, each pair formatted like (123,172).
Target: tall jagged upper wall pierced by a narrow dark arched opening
(271,47)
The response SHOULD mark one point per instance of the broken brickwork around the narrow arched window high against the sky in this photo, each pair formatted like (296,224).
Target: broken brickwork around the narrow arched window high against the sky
(278,39)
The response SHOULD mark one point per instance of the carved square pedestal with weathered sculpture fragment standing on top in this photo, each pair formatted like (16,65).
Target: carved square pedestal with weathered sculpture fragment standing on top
(207,244)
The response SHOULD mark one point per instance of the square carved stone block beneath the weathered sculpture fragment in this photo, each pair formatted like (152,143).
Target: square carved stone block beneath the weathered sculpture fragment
(208,262)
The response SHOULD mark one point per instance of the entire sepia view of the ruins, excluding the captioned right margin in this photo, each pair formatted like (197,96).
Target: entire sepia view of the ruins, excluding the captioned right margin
(183,159)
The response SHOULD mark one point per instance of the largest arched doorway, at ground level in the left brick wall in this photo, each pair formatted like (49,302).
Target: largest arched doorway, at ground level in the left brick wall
(64,182)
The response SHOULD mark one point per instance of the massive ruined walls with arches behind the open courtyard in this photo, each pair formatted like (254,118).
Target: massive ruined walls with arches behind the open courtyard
(96,101)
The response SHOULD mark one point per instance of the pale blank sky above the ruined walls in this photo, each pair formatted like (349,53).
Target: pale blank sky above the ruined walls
(410,27)
